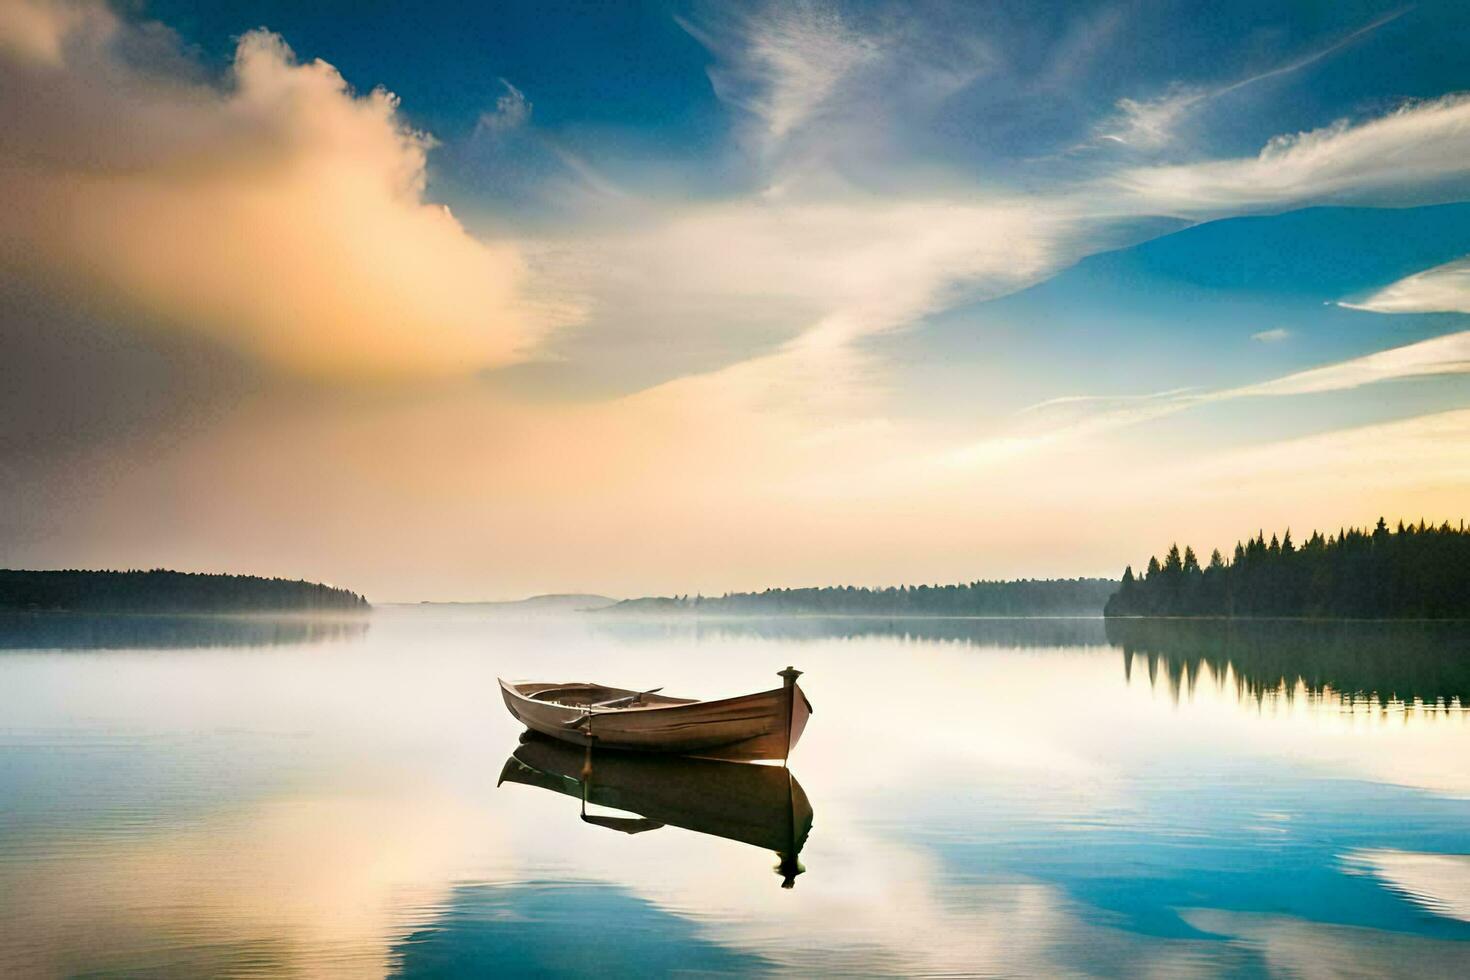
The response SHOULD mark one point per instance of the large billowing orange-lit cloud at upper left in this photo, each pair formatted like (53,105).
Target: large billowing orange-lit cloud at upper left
(279,214)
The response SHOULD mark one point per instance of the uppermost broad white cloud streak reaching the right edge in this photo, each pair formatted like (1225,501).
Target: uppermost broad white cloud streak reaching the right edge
(1391,156)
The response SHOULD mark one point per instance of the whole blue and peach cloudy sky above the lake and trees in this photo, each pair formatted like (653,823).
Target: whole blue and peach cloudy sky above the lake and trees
(461,302)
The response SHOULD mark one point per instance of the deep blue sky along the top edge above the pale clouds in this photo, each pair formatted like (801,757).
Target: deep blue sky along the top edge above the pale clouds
(1043,74)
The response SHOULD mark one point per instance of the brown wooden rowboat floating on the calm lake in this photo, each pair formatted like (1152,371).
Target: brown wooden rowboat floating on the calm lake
(755,727)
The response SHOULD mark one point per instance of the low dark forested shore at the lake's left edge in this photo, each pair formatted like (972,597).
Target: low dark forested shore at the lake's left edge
(164,591)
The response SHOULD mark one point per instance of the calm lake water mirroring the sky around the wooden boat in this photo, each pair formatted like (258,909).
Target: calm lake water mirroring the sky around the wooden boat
(1006,797)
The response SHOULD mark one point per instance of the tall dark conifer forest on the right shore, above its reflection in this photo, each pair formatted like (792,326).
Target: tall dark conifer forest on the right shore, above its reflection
(1409,572)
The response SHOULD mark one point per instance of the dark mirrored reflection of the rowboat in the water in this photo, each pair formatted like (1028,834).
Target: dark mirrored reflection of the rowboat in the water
(761,806)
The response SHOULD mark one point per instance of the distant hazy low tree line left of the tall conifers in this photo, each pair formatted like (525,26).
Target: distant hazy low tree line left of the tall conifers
(1022,597)
